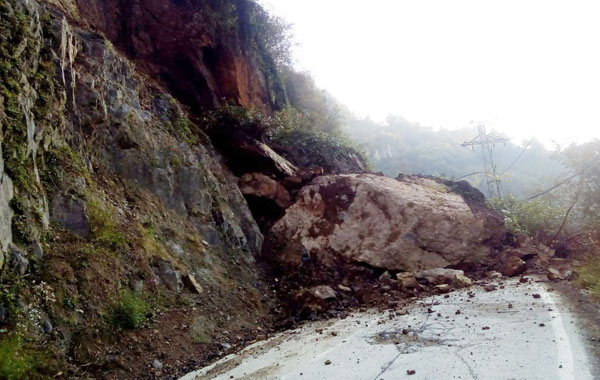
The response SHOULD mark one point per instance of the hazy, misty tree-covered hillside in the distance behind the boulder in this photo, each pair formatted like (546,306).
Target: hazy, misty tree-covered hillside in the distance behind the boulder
(400,146)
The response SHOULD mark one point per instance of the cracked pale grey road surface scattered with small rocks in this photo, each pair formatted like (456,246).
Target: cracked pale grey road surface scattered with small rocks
(461,336)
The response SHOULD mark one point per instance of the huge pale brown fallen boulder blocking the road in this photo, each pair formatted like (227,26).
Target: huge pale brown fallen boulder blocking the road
(401,225)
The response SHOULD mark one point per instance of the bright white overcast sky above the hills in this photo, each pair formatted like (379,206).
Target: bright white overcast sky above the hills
(525,67)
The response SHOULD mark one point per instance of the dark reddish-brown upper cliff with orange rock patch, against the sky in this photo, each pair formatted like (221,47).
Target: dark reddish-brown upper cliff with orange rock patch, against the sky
(204,51)
